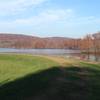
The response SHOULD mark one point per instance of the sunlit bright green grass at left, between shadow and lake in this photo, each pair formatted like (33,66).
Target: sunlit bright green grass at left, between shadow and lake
(16,66)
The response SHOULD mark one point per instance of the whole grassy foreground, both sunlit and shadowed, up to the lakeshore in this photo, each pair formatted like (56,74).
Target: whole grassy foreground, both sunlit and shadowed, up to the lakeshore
(27,77)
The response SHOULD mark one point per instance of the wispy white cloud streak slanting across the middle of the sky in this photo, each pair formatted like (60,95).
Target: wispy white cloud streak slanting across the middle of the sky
(45,17)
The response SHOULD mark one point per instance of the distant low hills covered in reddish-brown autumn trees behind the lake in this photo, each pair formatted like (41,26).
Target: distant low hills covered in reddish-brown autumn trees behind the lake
(24,41)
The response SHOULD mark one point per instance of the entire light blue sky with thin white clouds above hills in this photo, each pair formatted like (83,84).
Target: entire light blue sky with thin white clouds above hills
(48,18)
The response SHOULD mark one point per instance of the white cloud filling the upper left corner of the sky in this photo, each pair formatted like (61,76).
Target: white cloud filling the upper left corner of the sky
(16,6)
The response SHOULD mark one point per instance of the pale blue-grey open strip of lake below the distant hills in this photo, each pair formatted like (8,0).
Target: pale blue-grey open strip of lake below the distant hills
(39,51)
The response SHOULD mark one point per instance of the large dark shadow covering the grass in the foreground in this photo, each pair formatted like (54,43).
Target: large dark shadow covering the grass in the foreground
(57,83)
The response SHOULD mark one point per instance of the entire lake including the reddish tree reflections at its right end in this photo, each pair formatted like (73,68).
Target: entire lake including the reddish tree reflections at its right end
(61,52)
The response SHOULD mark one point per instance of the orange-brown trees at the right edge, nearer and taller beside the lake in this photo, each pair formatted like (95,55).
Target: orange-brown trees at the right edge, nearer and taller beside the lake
(90,44)
